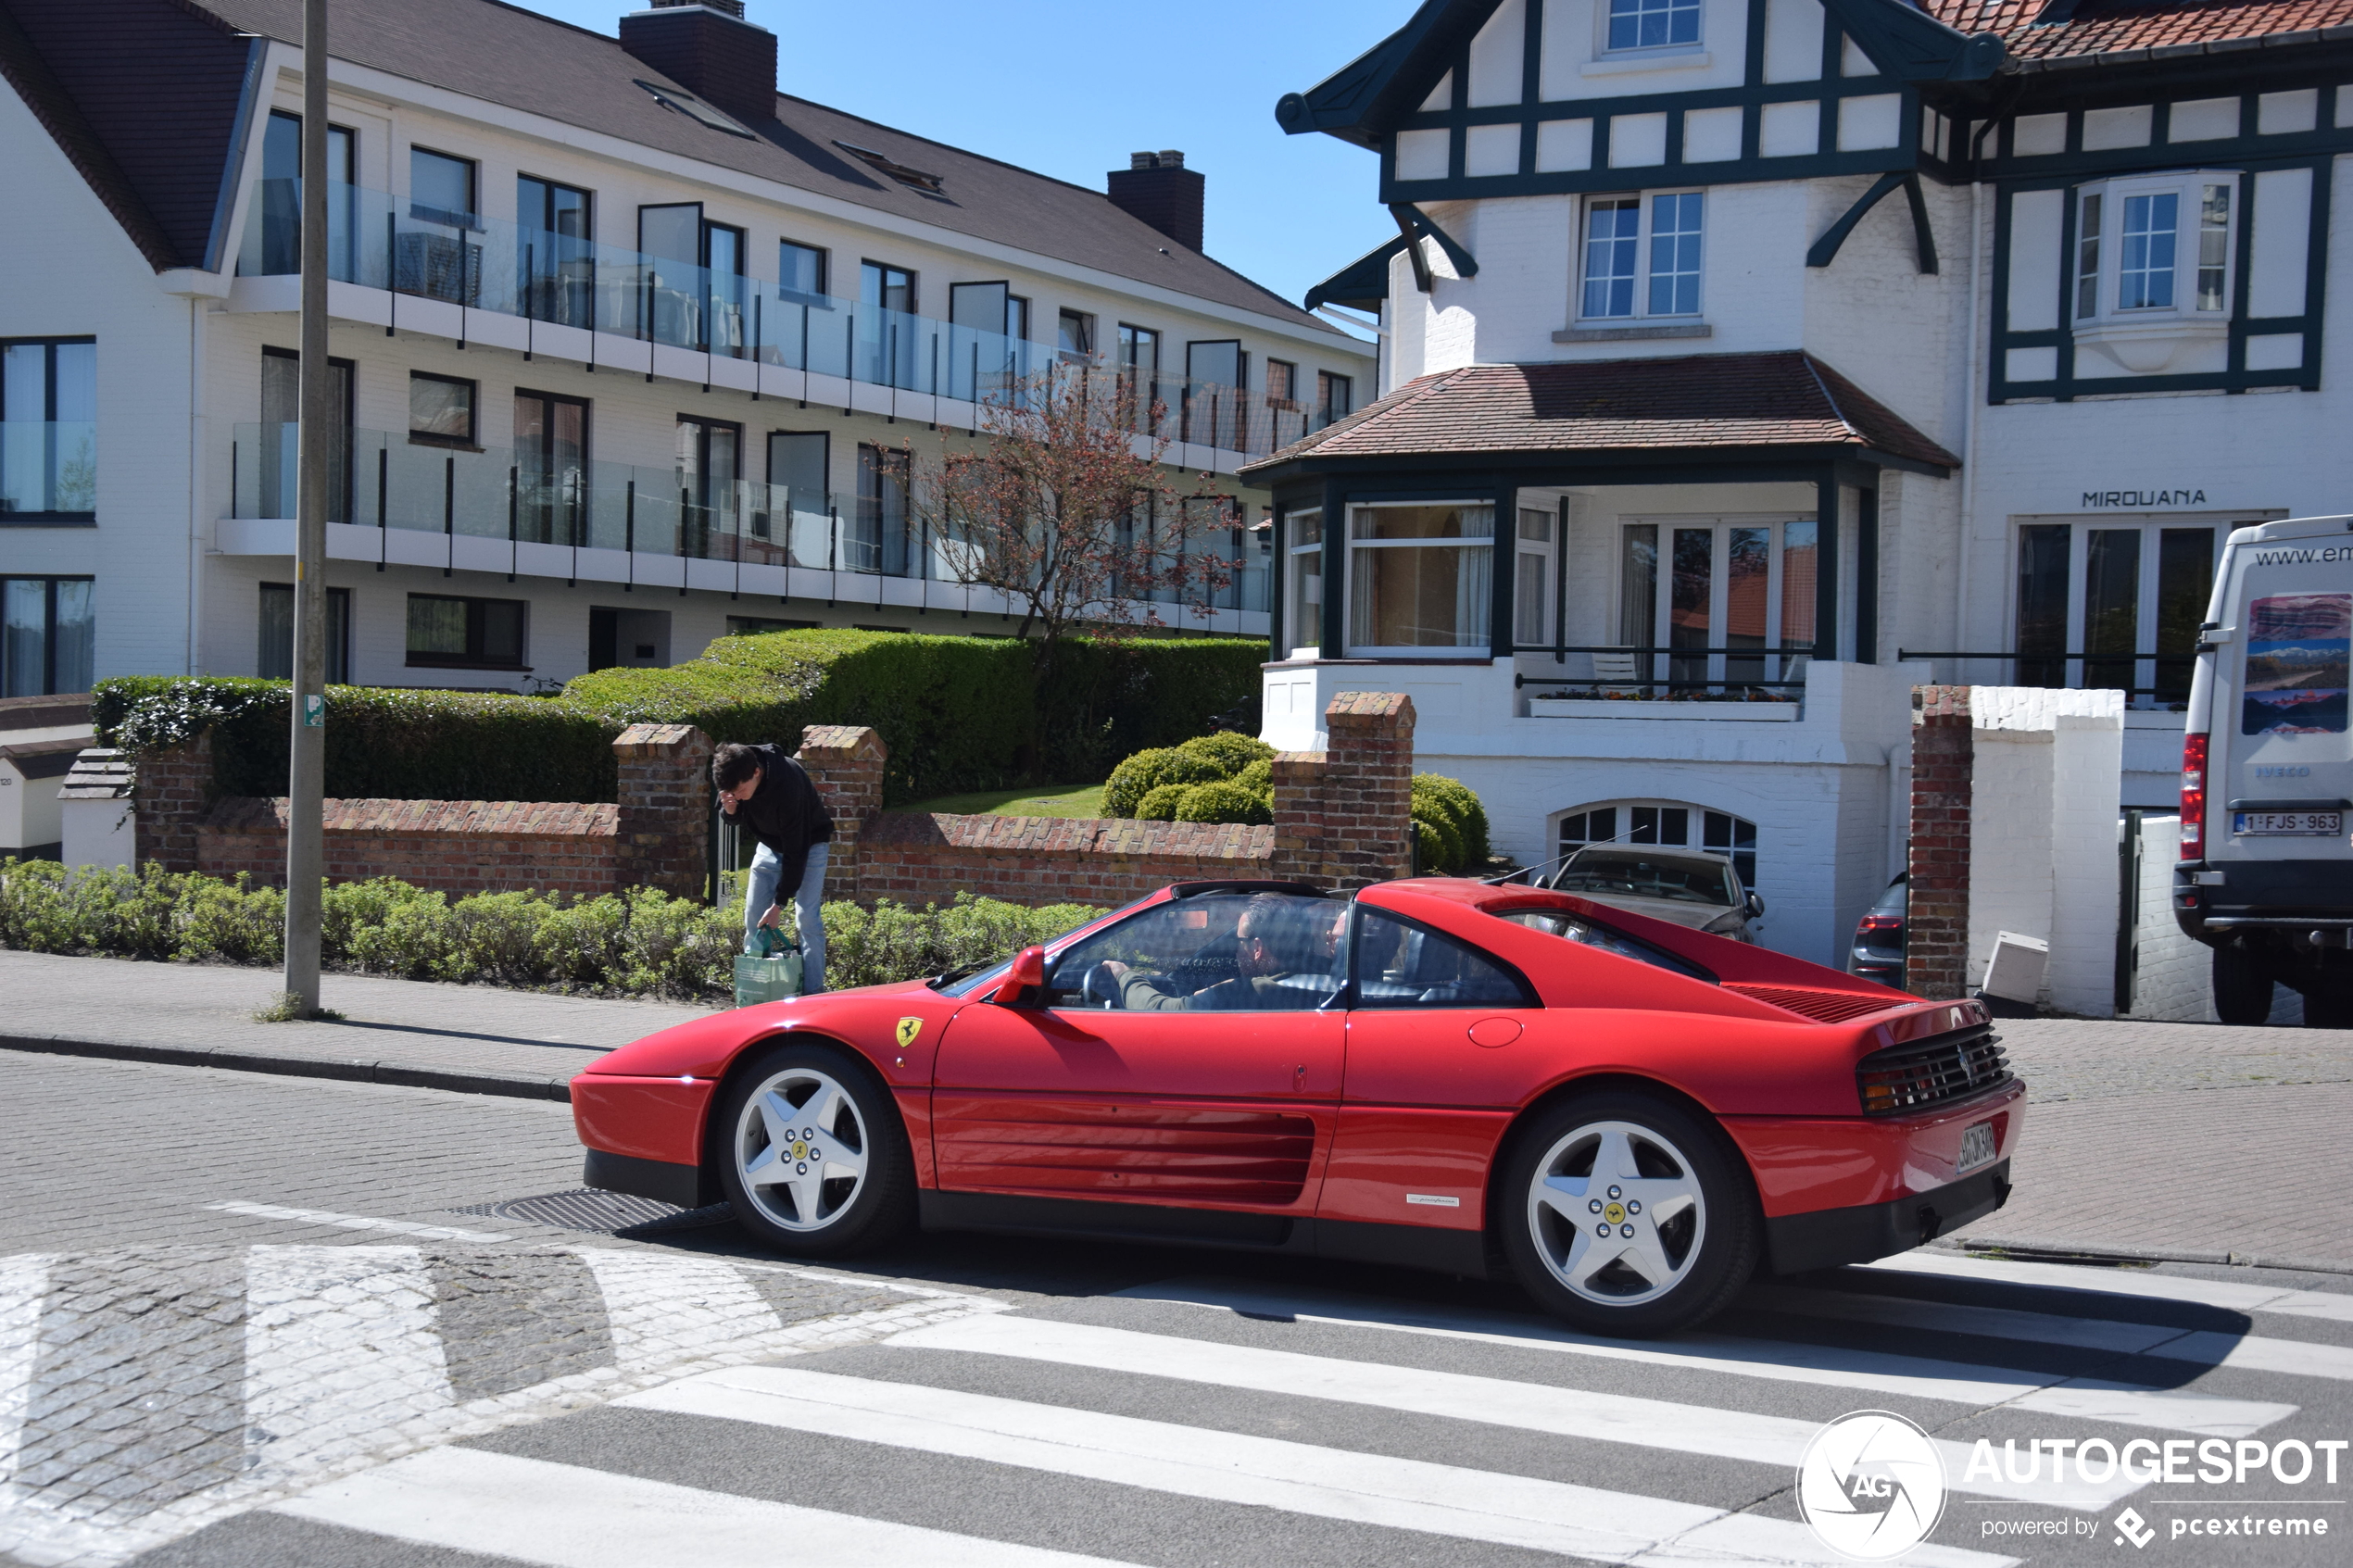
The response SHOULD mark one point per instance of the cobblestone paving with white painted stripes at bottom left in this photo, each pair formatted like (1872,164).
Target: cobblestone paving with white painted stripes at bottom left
(161,1391)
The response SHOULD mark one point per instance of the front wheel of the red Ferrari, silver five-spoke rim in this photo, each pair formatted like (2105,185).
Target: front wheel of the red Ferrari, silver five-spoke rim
(813,1153)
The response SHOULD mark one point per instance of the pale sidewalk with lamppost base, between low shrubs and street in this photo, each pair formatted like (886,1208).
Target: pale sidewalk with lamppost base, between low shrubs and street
(460,1038)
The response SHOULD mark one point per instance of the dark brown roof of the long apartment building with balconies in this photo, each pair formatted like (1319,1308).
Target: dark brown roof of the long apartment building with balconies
(147,81)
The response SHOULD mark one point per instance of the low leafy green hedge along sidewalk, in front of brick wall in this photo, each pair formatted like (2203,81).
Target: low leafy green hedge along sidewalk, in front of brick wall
(639,944)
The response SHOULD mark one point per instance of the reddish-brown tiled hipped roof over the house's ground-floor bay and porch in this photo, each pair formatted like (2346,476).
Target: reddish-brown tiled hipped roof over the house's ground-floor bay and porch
(1693,403)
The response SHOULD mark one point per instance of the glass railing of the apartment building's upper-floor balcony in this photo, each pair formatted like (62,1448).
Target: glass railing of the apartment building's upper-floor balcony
(484,264)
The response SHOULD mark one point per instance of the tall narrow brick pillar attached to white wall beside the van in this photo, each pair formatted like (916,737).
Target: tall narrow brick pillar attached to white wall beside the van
(1945,768)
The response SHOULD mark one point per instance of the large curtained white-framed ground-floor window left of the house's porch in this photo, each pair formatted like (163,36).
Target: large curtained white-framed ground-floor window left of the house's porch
(1420,577)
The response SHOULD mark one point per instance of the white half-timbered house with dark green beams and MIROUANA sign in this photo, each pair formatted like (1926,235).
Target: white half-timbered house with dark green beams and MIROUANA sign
(1773,356)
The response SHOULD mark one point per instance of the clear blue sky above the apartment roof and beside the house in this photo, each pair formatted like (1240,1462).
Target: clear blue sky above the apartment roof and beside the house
(1072,88)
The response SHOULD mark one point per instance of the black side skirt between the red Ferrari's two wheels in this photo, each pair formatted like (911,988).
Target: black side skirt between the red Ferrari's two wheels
(1415,1247)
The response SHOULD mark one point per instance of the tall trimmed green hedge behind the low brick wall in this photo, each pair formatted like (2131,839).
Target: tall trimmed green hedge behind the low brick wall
(959,713)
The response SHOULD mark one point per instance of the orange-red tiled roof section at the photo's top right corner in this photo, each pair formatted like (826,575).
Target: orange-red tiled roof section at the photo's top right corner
(2159,29)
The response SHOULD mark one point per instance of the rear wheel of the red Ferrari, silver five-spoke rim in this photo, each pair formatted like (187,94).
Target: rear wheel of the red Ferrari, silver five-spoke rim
(1627,1214)
